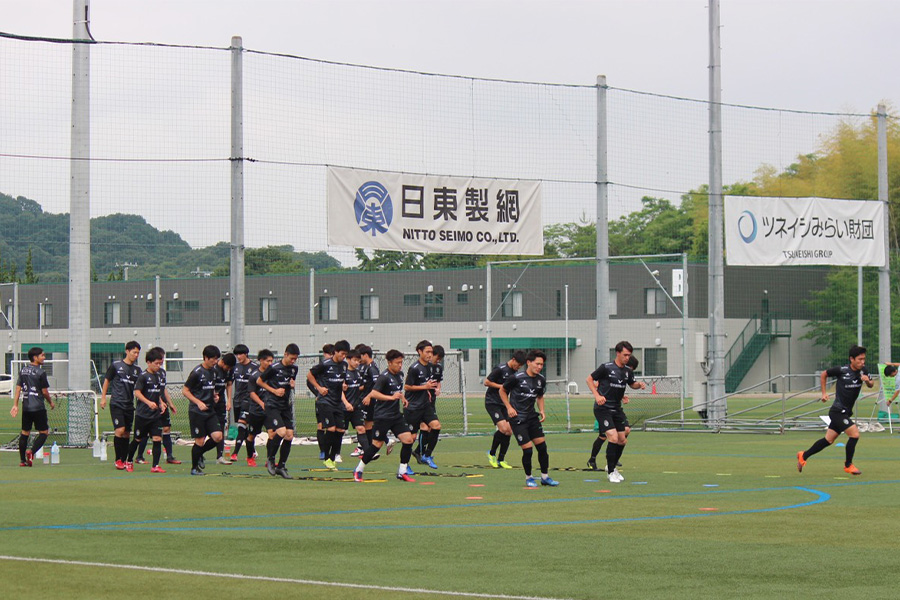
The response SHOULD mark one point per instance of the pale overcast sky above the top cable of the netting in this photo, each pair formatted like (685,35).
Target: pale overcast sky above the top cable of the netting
(824,55)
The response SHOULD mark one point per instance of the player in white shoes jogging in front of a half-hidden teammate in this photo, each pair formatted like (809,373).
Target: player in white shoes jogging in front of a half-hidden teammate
(607,384)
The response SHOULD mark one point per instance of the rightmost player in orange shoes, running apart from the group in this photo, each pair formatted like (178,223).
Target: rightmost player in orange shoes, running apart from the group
(850,378)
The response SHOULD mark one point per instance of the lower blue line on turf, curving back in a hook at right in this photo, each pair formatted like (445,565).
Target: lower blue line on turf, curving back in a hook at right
(820,497)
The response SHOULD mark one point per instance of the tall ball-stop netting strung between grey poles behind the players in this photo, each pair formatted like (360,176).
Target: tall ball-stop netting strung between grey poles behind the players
(161,162)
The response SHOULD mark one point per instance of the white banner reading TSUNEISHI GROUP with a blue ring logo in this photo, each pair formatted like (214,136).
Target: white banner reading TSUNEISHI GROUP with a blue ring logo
(803,231)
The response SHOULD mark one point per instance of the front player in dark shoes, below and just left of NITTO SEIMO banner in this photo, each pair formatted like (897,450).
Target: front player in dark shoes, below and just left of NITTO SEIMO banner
(278,381)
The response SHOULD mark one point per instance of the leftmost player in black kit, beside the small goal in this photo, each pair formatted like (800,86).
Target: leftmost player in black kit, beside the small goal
(33,382)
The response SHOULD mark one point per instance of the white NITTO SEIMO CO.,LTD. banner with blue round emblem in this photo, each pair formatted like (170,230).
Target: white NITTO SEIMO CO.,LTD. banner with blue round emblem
(421,213)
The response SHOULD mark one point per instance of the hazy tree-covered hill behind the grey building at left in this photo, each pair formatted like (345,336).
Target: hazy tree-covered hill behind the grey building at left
(120,239)
